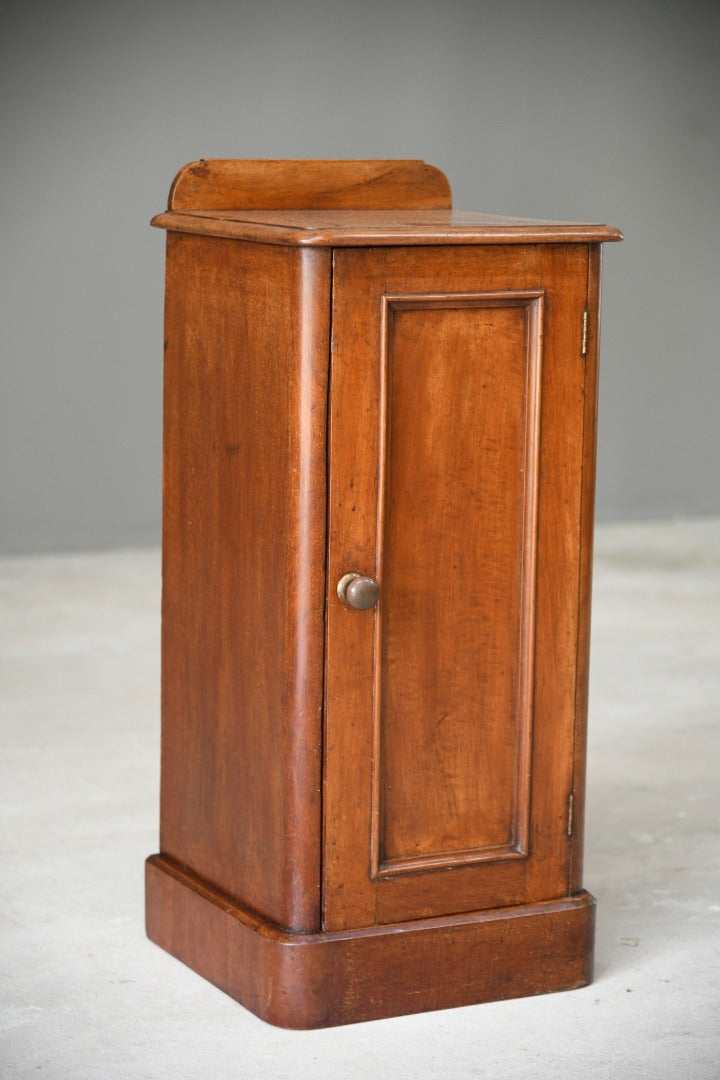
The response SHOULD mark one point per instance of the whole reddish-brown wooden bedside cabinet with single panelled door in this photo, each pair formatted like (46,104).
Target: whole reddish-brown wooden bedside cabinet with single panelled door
(379,445)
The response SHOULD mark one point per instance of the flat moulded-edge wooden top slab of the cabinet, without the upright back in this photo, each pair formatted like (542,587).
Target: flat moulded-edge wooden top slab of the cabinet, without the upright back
(354,228)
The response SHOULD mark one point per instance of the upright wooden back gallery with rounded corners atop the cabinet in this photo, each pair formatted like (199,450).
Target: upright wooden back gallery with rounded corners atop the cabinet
(213,184)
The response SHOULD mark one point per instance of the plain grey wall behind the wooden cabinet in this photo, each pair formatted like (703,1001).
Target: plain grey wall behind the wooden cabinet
(599,112)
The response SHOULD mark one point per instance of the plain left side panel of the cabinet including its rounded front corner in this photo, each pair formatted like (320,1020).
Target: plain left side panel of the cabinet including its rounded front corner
(243,570)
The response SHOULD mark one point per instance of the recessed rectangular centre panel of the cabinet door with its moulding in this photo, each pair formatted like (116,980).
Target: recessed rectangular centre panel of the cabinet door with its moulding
(452,737)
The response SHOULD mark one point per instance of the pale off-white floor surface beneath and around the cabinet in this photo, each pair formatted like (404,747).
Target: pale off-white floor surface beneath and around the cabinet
(85,995)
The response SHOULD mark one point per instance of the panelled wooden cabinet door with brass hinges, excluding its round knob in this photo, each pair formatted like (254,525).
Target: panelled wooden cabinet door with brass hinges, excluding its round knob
(456,463)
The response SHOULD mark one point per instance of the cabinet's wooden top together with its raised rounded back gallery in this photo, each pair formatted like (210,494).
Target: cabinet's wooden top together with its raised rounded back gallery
(345,204)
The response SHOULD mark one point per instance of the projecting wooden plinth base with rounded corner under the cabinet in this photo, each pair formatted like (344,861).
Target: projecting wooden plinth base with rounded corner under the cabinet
(320,980)
